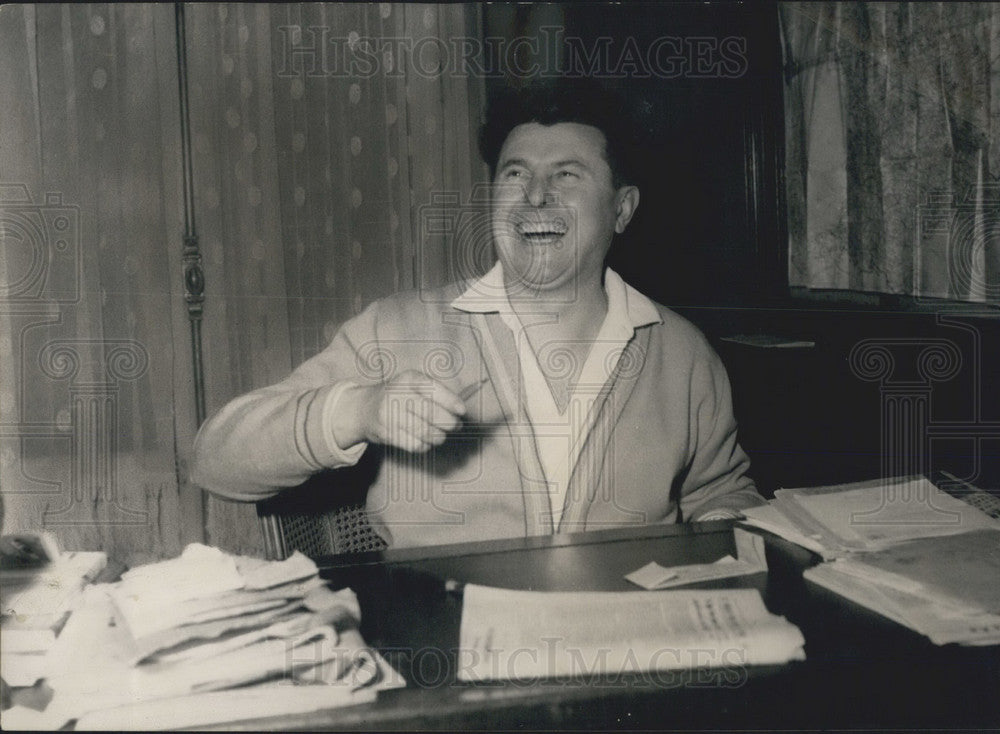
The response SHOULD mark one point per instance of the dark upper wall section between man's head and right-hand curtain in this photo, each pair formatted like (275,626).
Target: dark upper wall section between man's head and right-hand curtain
(702,83)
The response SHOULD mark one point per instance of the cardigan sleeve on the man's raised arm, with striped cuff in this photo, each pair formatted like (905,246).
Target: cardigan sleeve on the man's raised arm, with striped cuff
(277,436)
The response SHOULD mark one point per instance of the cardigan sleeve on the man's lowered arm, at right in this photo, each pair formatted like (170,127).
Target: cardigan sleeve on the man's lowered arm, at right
(716,484)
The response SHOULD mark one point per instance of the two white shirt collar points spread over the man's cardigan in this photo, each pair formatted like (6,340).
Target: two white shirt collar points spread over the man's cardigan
(626,306)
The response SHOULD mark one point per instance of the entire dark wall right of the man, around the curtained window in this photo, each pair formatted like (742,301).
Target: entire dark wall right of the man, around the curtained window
(710,240)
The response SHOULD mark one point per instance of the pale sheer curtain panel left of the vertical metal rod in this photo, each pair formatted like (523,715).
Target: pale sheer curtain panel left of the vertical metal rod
(89,326)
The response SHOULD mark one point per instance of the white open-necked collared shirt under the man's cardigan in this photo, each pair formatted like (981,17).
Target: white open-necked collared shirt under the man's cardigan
(559,436)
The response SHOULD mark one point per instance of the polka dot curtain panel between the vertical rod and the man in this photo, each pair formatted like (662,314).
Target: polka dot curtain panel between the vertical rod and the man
(321,132)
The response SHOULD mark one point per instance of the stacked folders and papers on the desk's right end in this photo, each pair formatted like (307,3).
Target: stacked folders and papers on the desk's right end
(901,547)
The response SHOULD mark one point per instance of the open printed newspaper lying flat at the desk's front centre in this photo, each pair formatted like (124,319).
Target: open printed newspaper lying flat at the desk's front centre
(517,635)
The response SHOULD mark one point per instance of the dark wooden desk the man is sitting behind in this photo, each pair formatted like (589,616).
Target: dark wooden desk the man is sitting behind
(861,671)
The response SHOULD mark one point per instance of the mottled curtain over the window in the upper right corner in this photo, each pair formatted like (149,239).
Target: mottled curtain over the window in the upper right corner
(893,147)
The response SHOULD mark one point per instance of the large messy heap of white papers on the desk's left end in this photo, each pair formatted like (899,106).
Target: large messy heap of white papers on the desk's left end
(166,646)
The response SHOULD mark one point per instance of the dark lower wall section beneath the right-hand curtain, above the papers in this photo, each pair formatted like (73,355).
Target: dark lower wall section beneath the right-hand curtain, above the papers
(849,408)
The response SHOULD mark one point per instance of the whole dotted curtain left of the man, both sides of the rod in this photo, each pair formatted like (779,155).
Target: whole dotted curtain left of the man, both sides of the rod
(309,193)
